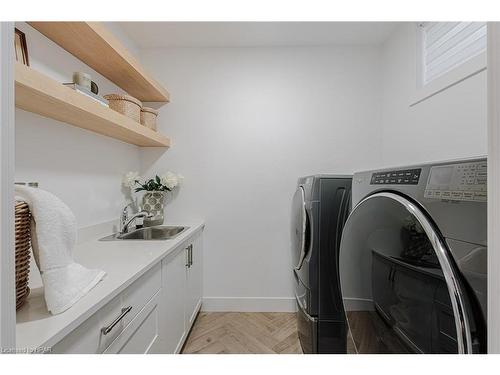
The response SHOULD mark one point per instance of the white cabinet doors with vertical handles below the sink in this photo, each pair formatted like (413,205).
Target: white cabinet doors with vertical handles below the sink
(181,293)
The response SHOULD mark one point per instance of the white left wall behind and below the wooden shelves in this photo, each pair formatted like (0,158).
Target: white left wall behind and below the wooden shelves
(82,168)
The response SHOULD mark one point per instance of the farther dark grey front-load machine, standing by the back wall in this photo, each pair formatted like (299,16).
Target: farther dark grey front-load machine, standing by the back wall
(320,208)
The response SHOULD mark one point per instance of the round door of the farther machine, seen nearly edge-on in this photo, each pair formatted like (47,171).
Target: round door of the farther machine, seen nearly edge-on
(299,228)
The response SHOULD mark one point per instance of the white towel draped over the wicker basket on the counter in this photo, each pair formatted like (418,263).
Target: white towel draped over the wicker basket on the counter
(53,241)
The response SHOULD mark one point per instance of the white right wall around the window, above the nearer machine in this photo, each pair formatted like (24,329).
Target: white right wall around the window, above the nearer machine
(451,124)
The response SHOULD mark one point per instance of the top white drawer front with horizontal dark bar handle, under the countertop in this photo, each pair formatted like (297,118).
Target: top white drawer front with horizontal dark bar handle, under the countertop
(89,338)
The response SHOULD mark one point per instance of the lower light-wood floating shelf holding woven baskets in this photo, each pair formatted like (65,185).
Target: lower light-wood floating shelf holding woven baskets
(35,92)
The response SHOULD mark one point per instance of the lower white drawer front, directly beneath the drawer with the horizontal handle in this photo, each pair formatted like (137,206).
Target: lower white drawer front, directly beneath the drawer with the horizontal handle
(142,334)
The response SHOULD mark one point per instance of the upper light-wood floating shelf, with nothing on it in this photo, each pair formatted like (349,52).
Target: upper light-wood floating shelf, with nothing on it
(93,44)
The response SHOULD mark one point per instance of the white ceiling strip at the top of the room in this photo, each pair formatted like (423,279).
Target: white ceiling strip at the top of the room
(254,34)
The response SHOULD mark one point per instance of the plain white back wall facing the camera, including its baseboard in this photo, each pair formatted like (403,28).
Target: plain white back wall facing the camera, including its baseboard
(246,123)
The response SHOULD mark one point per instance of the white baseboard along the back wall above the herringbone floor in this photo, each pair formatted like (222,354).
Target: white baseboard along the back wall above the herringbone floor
(249,304)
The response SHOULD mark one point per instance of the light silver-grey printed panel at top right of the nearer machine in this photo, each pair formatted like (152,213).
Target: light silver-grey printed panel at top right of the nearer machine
(460,182)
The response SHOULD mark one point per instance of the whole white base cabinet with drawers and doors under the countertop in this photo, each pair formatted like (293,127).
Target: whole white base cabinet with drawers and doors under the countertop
(153,315)
